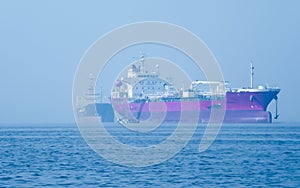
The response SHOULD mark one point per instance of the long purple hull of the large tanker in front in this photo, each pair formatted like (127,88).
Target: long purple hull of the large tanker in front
(245,106)
